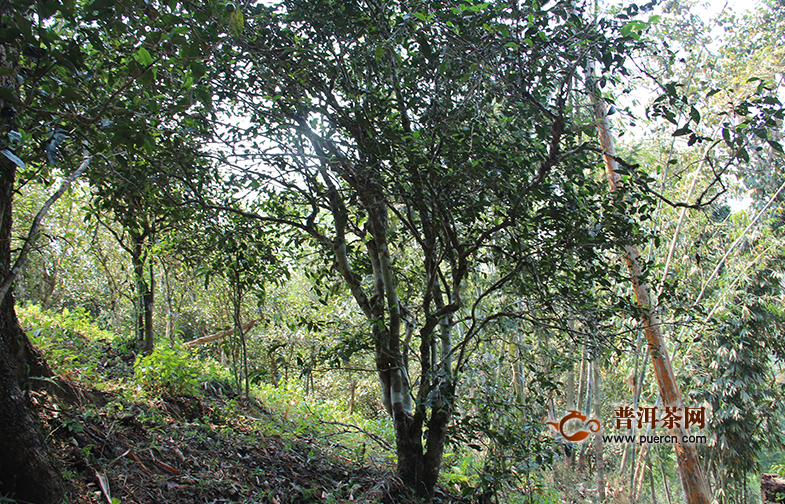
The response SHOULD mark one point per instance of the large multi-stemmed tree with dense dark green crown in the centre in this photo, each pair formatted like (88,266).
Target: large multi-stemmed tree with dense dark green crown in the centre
(441,127)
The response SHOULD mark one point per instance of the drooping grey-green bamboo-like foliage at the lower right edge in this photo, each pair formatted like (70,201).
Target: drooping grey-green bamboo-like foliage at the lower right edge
(739,375)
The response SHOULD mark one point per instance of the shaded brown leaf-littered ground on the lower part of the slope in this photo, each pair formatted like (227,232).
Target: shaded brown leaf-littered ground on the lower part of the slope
(189,449)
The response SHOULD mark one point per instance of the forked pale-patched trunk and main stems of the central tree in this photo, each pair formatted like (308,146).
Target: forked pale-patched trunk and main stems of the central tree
(417,467)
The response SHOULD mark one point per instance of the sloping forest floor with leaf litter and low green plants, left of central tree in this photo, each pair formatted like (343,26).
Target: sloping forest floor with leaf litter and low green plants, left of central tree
(117,443)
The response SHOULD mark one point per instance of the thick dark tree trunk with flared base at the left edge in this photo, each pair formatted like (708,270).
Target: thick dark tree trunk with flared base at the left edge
(27,472)
